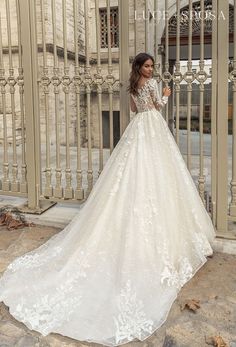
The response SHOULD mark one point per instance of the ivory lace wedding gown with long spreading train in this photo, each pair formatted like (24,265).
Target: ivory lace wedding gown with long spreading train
(113,273)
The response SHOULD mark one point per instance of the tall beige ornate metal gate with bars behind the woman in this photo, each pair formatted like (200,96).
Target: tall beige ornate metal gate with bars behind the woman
(64,67)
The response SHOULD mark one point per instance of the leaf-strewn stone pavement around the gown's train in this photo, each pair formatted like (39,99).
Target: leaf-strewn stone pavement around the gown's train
(214,286)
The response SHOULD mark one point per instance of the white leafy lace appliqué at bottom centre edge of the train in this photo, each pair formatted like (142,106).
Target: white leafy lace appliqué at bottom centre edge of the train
(132,320)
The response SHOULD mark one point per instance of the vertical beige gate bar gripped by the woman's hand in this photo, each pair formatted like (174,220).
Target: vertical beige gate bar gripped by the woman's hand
(166,68)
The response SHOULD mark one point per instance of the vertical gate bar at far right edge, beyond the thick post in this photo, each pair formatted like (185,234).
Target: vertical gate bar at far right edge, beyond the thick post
(232,206)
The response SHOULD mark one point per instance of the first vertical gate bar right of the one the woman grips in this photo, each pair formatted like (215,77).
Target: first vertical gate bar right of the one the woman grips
(177,65)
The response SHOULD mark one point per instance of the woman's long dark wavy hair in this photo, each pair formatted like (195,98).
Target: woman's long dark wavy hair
(135,73)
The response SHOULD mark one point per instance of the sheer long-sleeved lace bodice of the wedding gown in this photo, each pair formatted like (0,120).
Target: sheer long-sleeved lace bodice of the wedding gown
(148,97)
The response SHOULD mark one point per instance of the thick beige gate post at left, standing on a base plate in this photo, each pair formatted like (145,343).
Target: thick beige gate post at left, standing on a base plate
(29,60)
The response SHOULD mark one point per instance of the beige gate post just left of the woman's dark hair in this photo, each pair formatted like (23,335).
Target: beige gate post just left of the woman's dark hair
(124,63)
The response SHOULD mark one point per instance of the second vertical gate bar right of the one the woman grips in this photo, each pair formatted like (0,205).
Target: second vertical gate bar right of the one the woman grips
(190,79)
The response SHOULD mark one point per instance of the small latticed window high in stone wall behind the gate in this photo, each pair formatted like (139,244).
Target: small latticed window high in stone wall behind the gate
(114,25)
